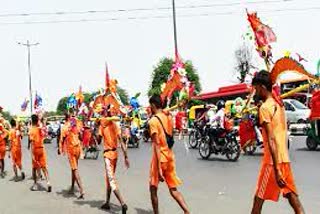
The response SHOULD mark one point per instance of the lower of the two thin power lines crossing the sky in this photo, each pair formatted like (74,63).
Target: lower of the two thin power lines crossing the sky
(158,17)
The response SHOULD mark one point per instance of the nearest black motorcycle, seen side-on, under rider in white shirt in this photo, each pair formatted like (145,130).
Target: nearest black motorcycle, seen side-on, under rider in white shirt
(220,142)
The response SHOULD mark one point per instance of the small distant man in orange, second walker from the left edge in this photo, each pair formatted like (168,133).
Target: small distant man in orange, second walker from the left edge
(15,137)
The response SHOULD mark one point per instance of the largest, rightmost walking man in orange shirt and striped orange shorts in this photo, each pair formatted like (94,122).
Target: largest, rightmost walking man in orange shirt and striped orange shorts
(276,175)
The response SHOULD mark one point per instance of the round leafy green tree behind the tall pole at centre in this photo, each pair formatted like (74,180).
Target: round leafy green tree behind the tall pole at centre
(161,73)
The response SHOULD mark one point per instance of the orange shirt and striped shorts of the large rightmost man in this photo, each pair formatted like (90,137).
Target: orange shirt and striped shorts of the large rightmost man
(267,188)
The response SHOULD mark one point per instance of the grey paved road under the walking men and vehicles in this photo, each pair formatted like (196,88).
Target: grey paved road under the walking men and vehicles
(214,186)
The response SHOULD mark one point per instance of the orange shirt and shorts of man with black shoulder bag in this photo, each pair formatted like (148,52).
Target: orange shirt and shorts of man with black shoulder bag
(167,158)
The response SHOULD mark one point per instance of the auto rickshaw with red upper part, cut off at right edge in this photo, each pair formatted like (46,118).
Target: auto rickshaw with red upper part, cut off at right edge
(313,139)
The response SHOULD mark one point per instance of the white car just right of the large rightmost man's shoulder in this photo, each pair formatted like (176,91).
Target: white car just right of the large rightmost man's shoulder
(296,112)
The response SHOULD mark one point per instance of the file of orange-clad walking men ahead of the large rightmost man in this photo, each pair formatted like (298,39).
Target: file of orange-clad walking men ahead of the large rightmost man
(162,165)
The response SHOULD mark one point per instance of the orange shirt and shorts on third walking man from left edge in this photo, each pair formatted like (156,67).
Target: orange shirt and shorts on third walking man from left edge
(39,159)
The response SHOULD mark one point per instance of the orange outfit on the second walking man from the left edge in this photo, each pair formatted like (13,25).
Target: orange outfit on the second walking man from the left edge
(15,140)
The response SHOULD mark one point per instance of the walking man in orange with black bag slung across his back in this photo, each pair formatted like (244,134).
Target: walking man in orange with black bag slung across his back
(163,162)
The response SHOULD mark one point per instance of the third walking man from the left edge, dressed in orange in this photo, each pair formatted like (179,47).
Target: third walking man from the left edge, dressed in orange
(36,138)
